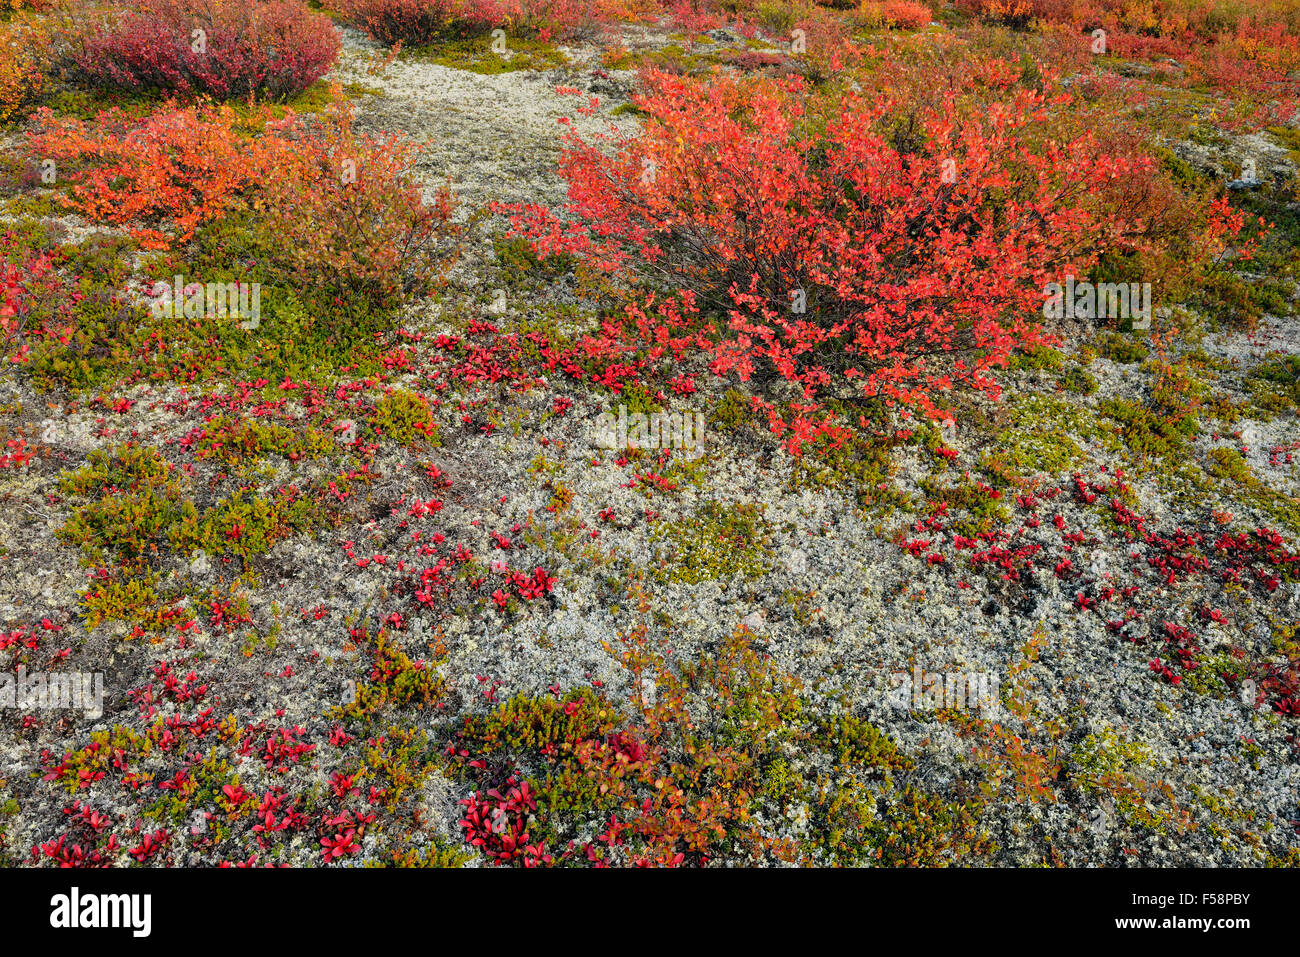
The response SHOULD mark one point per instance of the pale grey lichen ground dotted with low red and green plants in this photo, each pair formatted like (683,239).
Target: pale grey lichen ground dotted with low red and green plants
(409,612)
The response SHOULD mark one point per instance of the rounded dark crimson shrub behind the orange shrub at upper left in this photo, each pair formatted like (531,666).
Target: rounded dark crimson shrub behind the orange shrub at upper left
(223,49)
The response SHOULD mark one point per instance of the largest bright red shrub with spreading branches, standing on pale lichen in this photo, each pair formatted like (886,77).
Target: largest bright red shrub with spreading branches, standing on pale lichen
(840,240)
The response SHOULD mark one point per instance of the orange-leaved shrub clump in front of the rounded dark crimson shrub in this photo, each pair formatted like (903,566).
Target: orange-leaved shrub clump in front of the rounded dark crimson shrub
(341,209)
